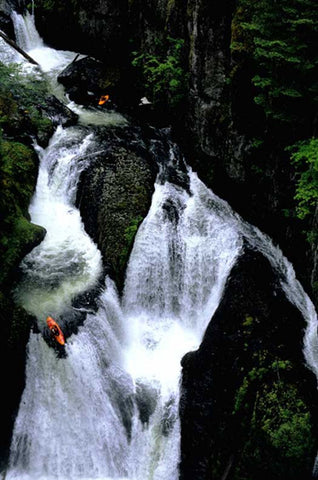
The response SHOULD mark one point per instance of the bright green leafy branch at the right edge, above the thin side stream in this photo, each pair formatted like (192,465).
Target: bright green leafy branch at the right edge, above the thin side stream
(305,159)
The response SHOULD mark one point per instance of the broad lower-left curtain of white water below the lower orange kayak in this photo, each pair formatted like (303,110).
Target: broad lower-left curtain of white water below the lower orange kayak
(69,425)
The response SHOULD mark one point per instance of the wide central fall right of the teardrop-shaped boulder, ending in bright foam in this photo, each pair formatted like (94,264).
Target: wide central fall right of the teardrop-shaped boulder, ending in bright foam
(183,253)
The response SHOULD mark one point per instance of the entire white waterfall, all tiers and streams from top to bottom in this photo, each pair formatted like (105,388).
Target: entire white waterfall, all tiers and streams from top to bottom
(109,409)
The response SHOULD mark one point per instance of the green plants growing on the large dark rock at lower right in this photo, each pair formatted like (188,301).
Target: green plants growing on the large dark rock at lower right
(279,437)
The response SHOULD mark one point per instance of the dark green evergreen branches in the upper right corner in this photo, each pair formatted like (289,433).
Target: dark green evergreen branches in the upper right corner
(278,39)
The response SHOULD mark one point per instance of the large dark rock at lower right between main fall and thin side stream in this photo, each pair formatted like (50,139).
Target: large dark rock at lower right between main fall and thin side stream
(251,351)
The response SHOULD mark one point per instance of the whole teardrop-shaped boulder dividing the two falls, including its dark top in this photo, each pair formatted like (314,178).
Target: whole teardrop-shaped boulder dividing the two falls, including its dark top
(115,191)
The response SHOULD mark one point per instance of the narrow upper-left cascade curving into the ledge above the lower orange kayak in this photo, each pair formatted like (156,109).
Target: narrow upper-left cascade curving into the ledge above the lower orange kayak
(74,260)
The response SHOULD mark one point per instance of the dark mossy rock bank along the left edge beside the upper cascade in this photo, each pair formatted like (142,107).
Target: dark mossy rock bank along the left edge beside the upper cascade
(20,117)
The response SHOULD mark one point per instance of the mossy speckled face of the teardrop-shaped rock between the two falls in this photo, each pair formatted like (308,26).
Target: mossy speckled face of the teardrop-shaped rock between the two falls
(114,202)
